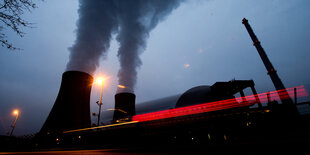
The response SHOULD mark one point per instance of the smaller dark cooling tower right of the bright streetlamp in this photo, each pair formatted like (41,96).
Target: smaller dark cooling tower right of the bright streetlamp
(124,106)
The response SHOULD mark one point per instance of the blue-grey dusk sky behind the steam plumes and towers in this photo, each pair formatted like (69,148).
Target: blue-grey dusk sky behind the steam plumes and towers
(199,43)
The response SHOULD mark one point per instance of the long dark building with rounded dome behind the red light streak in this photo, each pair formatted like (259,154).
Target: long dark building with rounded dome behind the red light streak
(197,95)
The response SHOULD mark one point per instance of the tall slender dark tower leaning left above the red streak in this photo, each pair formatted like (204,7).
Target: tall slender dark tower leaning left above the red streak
(270,69)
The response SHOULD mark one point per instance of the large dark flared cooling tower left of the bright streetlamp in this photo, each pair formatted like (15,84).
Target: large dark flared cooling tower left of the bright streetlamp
(71,109)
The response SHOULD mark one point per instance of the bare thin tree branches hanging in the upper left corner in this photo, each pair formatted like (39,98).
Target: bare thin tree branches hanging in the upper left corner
(10,17)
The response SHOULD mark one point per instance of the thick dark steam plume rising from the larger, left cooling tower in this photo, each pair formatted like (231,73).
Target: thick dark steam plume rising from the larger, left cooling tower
(95,26)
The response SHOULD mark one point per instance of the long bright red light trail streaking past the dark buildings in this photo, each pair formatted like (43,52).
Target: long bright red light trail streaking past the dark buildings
(221,105)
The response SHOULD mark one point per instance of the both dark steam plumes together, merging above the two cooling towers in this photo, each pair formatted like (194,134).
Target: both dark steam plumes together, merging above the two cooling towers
(132,20)
